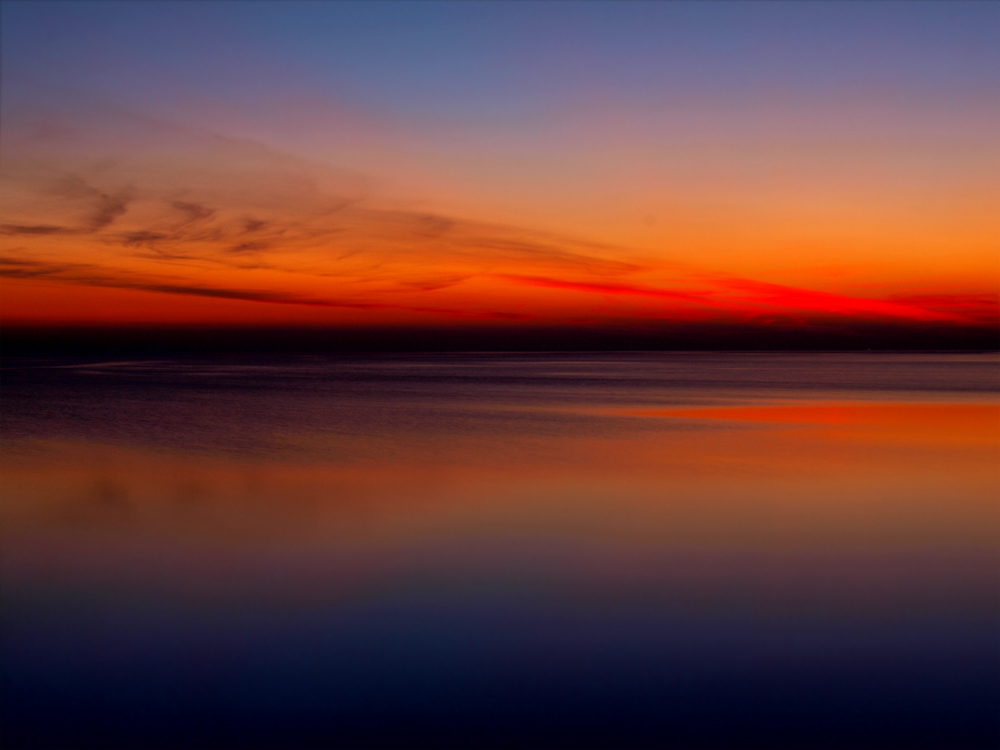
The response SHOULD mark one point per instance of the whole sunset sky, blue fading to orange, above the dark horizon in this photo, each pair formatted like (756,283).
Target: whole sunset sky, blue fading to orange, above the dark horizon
(344,164)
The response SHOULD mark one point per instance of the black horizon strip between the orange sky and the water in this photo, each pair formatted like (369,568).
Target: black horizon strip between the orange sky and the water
(155,340)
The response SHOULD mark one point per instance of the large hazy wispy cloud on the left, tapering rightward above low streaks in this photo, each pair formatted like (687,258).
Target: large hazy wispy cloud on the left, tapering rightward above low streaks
(134,189)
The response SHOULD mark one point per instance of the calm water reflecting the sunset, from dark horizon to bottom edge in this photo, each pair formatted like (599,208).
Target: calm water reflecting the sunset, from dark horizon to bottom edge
(605,550)
